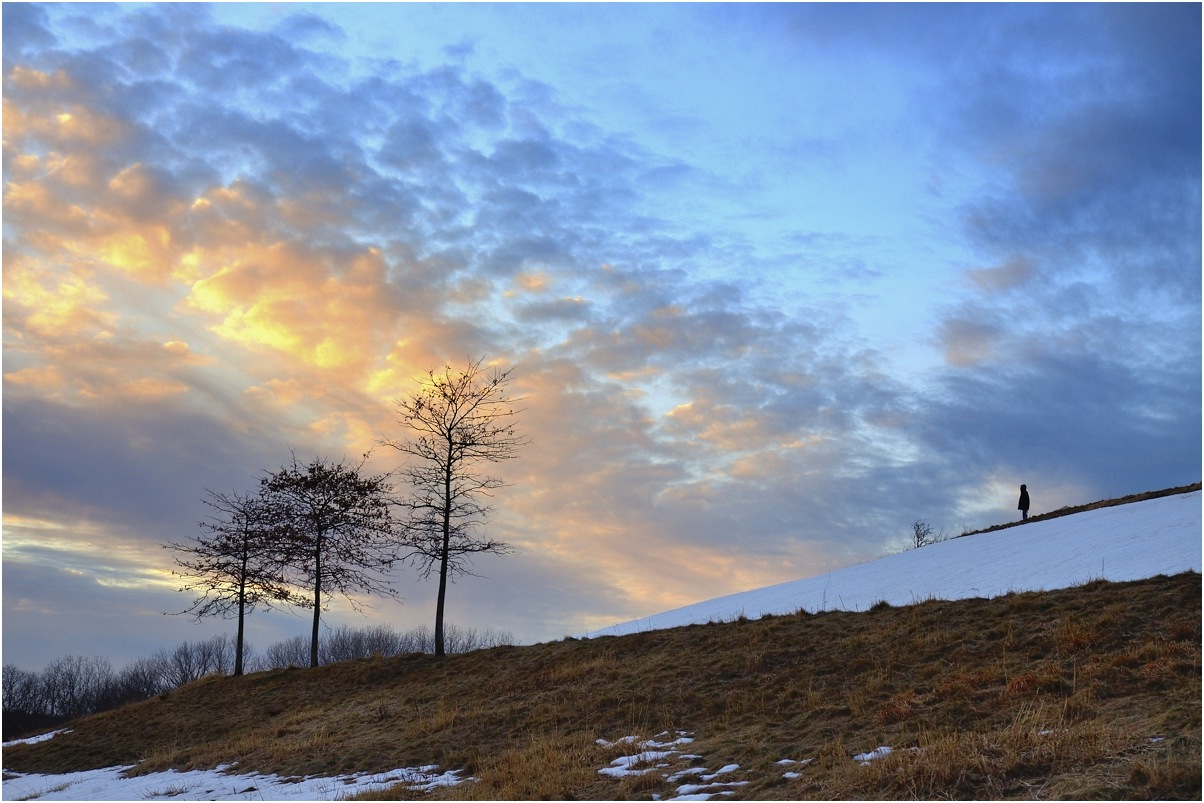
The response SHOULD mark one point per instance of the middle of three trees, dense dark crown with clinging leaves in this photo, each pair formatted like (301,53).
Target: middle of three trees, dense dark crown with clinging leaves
(338,530)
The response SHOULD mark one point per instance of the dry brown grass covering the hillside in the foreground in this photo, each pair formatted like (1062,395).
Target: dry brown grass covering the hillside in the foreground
(1085,693)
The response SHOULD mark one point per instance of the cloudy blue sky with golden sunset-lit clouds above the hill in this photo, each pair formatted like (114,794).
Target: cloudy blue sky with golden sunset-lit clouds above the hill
(776,282)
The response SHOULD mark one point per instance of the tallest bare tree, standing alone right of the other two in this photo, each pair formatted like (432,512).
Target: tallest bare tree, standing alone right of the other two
(462,421)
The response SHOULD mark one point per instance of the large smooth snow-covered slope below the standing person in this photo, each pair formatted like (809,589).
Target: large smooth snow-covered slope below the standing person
(1126,542)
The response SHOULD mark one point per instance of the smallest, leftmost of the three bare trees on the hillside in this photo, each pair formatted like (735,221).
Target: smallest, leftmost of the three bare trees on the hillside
(237,564)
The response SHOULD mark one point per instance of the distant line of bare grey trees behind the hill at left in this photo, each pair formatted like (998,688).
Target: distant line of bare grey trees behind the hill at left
(75,686)
